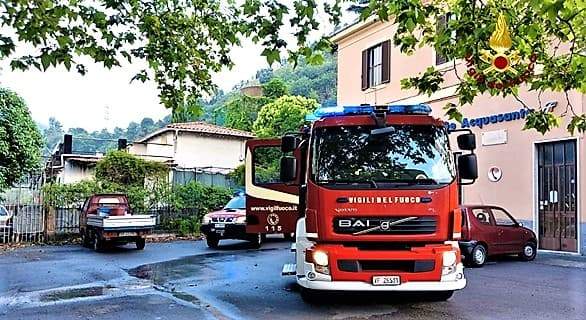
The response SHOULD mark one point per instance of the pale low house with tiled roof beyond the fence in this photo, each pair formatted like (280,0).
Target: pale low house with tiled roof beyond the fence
(194,145)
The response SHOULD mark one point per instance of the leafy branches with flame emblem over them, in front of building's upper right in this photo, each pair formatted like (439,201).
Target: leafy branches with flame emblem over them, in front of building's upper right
(531,33)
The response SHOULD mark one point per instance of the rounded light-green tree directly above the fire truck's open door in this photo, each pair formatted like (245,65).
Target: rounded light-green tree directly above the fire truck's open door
(283,115)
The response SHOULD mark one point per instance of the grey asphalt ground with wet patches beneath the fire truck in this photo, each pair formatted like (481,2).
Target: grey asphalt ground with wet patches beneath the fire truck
(185,280)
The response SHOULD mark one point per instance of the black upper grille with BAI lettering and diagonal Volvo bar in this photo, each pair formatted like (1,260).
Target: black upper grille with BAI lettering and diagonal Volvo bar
(384,225)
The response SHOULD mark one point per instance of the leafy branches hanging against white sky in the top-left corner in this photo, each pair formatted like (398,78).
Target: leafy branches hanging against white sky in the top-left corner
(182,41)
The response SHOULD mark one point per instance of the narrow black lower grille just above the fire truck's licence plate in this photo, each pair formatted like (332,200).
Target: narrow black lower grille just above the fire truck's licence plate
(386,265)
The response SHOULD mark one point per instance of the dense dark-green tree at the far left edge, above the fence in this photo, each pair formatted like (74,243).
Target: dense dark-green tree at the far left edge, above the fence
(20,140)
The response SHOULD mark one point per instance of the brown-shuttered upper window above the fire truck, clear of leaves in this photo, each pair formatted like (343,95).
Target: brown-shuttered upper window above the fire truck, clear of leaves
(375,65)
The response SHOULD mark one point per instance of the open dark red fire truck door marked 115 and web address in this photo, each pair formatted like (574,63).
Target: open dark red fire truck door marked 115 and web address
(271,205)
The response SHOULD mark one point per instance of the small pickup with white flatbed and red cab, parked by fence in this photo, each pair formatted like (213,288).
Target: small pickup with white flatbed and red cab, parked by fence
(107,219)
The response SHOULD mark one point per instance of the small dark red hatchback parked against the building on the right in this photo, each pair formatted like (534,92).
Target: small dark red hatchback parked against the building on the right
(490,231)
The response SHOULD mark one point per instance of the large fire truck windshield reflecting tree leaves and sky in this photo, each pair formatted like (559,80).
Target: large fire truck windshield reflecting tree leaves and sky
(411,154)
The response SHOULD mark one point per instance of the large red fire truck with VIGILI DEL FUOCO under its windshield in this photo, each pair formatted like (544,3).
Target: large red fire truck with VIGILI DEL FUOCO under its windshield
(376,189)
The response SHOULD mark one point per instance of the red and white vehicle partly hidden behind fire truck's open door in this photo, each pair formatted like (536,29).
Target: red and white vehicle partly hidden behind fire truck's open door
(229,223)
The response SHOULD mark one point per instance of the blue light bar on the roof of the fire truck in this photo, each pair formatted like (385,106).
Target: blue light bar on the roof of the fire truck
(324,112)
